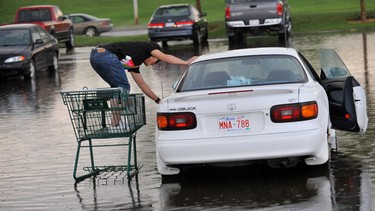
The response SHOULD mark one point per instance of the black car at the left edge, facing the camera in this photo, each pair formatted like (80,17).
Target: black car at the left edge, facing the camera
(26,48)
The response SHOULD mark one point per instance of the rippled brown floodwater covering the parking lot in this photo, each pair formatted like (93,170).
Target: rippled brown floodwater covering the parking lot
(38,147)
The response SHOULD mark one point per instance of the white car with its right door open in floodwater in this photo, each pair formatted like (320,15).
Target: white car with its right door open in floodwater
(260,104)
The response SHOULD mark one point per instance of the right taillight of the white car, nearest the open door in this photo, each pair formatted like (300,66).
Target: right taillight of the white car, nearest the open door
(294,112)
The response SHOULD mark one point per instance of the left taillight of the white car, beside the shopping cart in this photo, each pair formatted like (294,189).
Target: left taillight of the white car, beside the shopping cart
(176,121)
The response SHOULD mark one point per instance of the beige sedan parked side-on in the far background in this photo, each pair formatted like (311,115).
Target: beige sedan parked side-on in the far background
(89,25)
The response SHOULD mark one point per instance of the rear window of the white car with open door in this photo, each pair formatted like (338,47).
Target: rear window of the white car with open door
(242,71)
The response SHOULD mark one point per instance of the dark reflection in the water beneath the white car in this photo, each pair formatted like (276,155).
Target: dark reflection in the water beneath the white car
(342,186)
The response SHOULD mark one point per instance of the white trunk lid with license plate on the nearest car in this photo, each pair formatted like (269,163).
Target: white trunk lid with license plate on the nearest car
(234,111)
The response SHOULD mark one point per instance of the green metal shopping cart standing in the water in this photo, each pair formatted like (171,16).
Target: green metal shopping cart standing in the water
(92,113)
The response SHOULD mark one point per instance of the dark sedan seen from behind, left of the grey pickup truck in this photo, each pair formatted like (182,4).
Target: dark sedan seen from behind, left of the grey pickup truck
(177,22)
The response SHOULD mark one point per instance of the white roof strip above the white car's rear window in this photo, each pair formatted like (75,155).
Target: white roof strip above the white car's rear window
(249,52)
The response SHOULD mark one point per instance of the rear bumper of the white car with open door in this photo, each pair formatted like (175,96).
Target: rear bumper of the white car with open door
(245,148)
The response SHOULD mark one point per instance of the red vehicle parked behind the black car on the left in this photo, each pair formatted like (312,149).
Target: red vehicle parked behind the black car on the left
(49,17)
